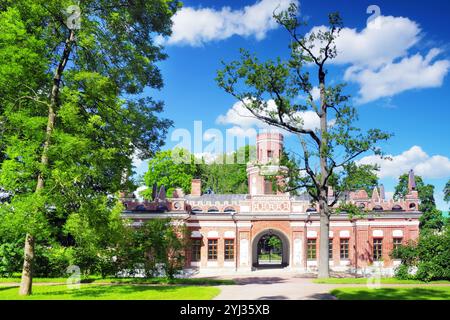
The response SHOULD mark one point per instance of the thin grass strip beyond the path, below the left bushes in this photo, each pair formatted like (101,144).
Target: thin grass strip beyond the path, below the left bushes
(162,281)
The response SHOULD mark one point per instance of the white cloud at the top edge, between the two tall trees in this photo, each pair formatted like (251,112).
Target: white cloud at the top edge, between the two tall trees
(195,27)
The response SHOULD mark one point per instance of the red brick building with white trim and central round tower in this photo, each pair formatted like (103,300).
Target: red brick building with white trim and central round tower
(230,233)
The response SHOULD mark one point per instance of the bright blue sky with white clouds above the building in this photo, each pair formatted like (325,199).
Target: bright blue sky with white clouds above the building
(396,70)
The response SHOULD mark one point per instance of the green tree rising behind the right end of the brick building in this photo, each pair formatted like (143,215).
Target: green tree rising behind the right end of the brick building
(432,218)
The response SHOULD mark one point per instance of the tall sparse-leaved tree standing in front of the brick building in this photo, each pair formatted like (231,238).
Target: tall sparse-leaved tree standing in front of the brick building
(270,91)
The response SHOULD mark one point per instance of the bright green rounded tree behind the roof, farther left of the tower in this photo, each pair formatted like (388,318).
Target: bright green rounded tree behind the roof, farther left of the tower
(169,169)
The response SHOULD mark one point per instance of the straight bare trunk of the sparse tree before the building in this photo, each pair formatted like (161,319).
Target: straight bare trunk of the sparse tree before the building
(324,266)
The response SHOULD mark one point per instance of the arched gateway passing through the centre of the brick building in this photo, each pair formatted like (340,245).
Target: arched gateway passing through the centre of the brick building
(270,249)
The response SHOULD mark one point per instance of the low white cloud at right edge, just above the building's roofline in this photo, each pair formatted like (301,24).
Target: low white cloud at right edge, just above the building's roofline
(415,158)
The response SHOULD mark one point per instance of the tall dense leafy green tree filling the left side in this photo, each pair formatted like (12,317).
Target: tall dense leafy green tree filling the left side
(72,113)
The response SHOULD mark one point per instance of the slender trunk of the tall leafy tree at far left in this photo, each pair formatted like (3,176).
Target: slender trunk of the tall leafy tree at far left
(27,270)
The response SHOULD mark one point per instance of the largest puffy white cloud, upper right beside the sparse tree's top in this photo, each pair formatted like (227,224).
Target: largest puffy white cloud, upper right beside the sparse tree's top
(380,60)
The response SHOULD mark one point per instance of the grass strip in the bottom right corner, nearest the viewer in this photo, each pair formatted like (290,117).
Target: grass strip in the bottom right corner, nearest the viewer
(397,293)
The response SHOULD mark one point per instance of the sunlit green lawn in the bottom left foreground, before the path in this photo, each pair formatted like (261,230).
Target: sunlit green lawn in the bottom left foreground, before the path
(113,292)
